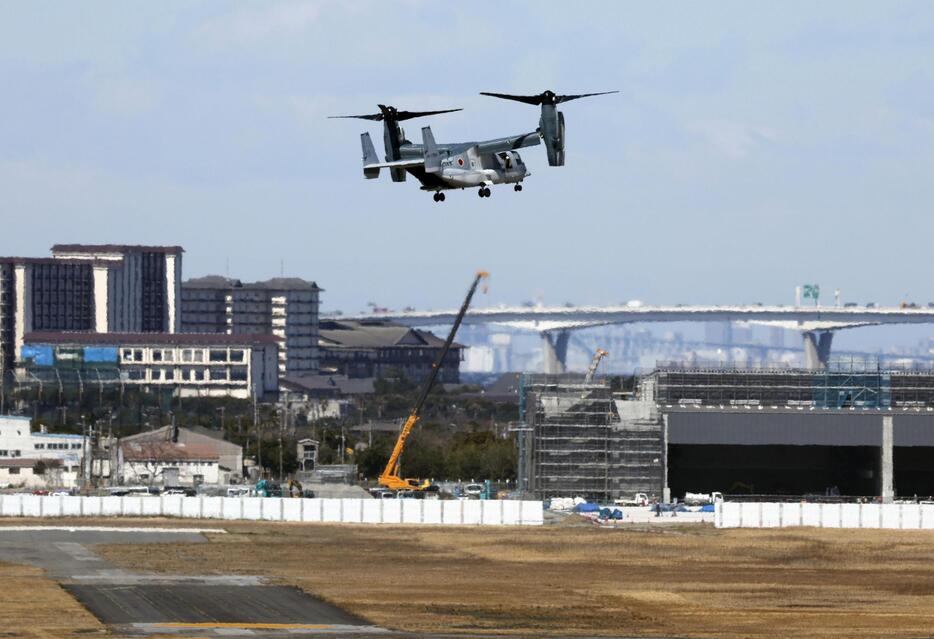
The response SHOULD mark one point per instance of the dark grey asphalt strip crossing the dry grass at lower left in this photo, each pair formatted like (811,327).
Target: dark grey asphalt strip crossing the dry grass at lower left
(148,603)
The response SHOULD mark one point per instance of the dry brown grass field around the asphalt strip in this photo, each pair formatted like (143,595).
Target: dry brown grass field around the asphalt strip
(569,579)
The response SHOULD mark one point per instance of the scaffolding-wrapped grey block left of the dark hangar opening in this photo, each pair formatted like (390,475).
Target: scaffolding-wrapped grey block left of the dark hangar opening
(575,442)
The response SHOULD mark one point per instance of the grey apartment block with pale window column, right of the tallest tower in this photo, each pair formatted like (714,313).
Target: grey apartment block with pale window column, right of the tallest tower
(286,307)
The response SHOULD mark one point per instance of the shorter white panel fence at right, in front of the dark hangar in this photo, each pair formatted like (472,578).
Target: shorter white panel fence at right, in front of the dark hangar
(777,515)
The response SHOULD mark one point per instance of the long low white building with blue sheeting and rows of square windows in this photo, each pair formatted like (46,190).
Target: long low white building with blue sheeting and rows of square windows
(208,365)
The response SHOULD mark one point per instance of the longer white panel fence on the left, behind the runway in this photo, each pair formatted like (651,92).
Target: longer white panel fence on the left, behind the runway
(349,511)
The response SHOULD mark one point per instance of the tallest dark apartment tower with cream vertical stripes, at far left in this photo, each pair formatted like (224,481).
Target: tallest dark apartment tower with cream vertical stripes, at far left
(90,288)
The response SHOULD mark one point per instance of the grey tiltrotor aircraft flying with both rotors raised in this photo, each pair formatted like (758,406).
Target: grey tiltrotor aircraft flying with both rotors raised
(441,167)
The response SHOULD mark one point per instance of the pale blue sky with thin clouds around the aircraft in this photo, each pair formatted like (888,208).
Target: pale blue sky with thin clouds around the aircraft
(753,146)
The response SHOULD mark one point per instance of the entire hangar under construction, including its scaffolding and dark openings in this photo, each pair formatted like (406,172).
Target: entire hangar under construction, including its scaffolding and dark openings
(846,431)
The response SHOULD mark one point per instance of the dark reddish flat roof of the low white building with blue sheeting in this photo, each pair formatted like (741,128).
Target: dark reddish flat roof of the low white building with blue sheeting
(144,339)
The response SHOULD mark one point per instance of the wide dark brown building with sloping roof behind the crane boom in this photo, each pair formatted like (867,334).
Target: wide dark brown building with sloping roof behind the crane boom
(379,348)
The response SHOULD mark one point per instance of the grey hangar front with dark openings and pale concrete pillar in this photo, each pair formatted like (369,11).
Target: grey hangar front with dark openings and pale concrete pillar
(796,452)
